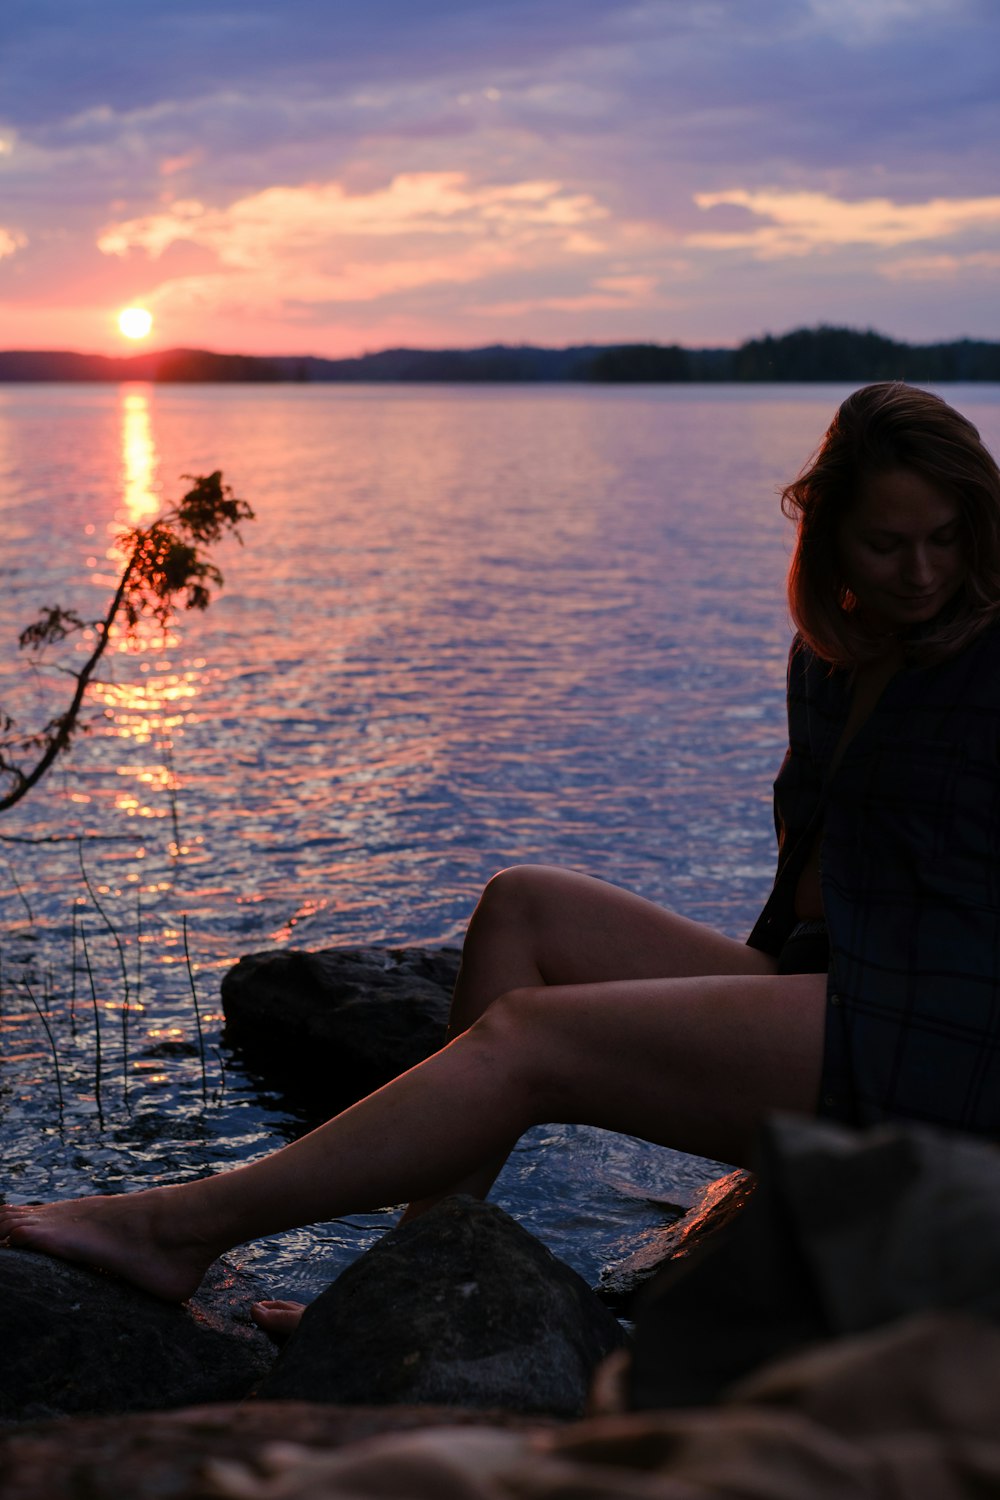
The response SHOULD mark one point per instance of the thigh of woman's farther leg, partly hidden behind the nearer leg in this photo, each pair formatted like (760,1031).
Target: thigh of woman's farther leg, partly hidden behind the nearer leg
(582,931)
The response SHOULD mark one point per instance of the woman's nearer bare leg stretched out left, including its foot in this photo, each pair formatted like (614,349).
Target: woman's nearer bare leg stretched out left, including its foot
(693,1063)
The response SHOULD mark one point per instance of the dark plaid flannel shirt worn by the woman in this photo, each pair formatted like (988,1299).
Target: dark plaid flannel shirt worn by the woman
(911,881)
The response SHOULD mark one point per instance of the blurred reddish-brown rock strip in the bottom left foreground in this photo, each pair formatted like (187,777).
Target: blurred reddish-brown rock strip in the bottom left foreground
(167,1454)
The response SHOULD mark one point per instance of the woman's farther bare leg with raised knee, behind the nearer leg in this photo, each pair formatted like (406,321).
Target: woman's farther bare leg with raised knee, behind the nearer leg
(543,925)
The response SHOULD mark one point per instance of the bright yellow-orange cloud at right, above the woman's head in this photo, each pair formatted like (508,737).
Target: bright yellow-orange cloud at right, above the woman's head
(801,223)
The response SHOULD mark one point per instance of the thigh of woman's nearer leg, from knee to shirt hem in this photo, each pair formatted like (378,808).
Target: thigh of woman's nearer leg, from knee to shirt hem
(692,1063)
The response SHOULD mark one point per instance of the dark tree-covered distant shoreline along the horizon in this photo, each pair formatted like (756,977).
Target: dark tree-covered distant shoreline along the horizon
(801,356)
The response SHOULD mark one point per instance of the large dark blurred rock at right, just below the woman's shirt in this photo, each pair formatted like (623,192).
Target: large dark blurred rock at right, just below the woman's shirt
(846,1232)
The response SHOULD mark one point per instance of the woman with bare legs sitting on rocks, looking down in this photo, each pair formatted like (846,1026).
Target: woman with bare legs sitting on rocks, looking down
(869,988)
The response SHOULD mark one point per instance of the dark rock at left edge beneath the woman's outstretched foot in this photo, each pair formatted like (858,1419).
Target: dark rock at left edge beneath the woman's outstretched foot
(76,1340)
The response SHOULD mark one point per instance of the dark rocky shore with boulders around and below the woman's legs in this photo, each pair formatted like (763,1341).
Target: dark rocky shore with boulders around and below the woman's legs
(828,1331)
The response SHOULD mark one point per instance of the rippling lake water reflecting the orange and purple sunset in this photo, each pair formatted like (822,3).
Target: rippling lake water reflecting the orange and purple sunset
(469,628)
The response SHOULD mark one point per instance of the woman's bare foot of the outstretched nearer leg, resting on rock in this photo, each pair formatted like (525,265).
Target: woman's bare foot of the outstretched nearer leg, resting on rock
(148,1238)
